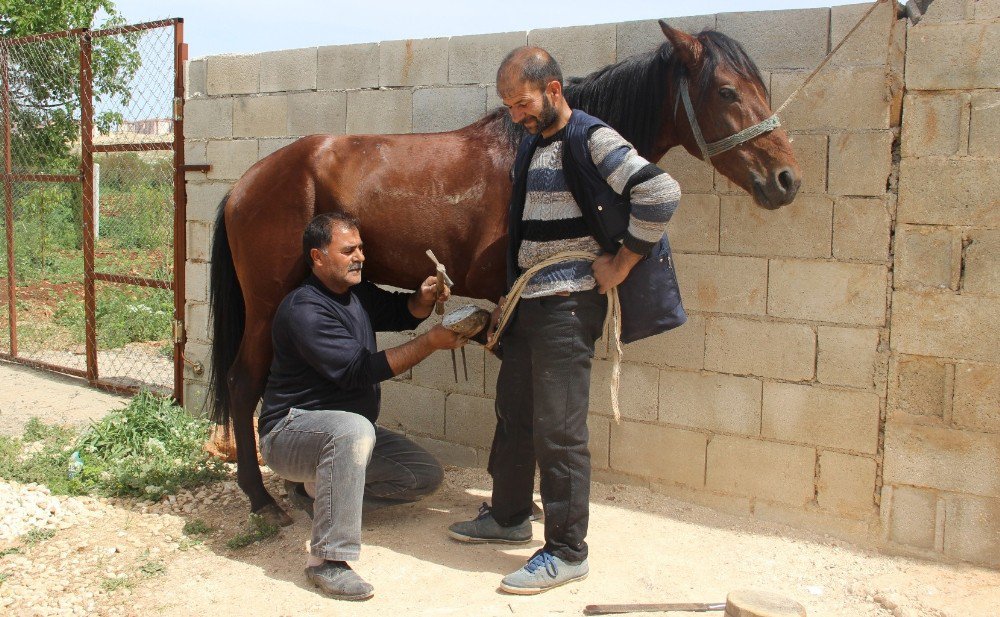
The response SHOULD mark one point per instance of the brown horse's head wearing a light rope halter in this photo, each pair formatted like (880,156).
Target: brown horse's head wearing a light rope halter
(726,118)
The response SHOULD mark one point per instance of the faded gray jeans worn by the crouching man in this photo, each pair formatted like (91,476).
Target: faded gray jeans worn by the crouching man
(355,466)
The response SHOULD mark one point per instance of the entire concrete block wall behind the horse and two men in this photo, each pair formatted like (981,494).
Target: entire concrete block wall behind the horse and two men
(772,401)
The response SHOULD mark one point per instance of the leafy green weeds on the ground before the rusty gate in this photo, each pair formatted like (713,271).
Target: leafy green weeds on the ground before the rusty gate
(148,449)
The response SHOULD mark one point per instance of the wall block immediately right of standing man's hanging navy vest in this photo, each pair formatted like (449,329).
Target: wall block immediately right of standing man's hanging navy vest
(723,284)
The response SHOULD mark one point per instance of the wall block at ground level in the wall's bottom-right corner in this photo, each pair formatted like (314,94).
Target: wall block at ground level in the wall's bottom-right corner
(972,529)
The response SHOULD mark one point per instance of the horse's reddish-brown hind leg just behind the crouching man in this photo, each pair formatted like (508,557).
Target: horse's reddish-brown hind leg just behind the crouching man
(247,379)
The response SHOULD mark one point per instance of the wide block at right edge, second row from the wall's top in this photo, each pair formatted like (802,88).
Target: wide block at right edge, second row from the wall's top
(952,56)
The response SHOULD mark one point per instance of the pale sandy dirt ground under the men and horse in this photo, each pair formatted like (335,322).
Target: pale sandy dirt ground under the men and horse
(644,547)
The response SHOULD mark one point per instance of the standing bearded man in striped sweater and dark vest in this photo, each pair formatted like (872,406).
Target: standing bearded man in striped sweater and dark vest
(568,177)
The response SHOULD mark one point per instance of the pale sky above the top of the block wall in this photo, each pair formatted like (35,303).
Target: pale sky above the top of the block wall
(243,26)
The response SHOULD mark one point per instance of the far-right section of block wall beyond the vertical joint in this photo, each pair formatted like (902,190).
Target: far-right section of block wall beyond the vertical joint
(941,480)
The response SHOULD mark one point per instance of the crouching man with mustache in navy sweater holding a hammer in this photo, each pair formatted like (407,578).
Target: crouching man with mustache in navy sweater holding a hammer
(317,422)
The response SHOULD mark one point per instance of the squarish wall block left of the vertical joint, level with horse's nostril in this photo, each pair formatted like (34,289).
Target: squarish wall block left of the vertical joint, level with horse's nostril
(860,163)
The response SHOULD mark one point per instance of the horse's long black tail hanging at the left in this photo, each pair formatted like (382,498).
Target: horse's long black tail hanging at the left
(228,319)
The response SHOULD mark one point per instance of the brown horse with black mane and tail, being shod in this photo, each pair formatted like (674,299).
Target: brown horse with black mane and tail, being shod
(449,192)
